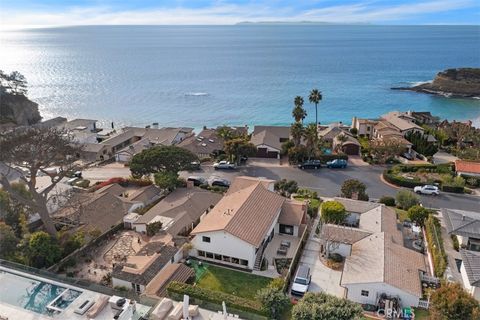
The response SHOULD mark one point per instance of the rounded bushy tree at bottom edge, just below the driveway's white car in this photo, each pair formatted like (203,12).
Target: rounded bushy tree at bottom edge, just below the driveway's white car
(322,306)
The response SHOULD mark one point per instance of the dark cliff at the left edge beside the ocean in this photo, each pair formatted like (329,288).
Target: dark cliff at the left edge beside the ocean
(18,110)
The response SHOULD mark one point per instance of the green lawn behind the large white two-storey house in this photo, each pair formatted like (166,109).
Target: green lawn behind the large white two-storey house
(238,283)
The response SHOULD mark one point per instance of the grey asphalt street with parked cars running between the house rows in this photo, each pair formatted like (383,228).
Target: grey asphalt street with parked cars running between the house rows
(326,182)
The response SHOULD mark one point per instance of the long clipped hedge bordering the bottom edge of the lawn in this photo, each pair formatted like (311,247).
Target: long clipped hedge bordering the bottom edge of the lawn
(217,297)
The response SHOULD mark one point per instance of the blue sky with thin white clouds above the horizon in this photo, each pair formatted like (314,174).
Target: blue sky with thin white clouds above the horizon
(42,13)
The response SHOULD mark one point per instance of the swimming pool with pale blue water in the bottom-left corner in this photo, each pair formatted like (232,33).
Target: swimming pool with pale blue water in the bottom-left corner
(35,295)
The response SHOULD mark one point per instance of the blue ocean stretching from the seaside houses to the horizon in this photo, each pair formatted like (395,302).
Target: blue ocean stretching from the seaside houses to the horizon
(237,75)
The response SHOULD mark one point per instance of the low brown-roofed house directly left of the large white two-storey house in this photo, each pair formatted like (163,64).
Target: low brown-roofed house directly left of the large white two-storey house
(179,212)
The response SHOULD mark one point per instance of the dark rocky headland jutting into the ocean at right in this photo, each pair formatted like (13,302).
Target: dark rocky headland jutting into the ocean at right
(455,83)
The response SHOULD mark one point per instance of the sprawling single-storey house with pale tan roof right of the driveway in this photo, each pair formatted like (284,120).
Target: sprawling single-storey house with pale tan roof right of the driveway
(376,262)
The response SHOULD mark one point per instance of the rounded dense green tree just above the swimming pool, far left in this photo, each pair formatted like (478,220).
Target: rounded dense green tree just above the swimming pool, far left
(43,250)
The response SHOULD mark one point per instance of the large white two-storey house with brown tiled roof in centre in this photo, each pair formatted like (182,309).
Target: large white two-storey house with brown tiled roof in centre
(239,228)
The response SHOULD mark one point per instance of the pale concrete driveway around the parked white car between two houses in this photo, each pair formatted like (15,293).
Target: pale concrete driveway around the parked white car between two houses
(323,279)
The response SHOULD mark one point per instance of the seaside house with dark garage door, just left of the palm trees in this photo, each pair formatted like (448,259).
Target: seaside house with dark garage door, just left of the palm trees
(269,140)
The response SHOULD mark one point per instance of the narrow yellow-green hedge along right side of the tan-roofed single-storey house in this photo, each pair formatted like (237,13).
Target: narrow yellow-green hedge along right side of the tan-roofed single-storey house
(433,234)
